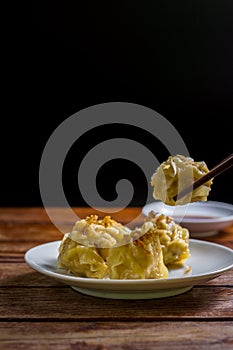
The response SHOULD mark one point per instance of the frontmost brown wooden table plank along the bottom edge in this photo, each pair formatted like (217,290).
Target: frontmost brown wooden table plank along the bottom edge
(117,335)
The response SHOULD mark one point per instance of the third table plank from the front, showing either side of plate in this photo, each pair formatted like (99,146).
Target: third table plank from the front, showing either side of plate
(19,274)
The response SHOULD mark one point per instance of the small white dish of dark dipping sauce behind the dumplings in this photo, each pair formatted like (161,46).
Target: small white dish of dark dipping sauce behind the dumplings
(201,218)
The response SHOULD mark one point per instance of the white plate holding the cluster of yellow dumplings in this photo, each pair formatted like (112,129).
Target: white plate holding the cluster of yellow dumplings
(208,260)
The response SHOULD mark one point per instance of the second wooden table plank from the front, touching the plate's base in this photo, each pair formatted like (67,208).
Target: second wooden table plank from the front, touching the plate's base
(64,303)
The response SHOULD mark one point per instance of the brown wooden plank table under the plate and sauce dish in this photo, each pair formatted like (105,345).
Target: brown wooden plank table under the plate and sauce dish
(37,312)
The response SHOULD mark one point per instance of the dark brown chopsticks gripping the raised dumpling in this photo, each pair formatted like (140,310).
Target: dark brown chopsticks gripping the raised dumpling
(217,170)
